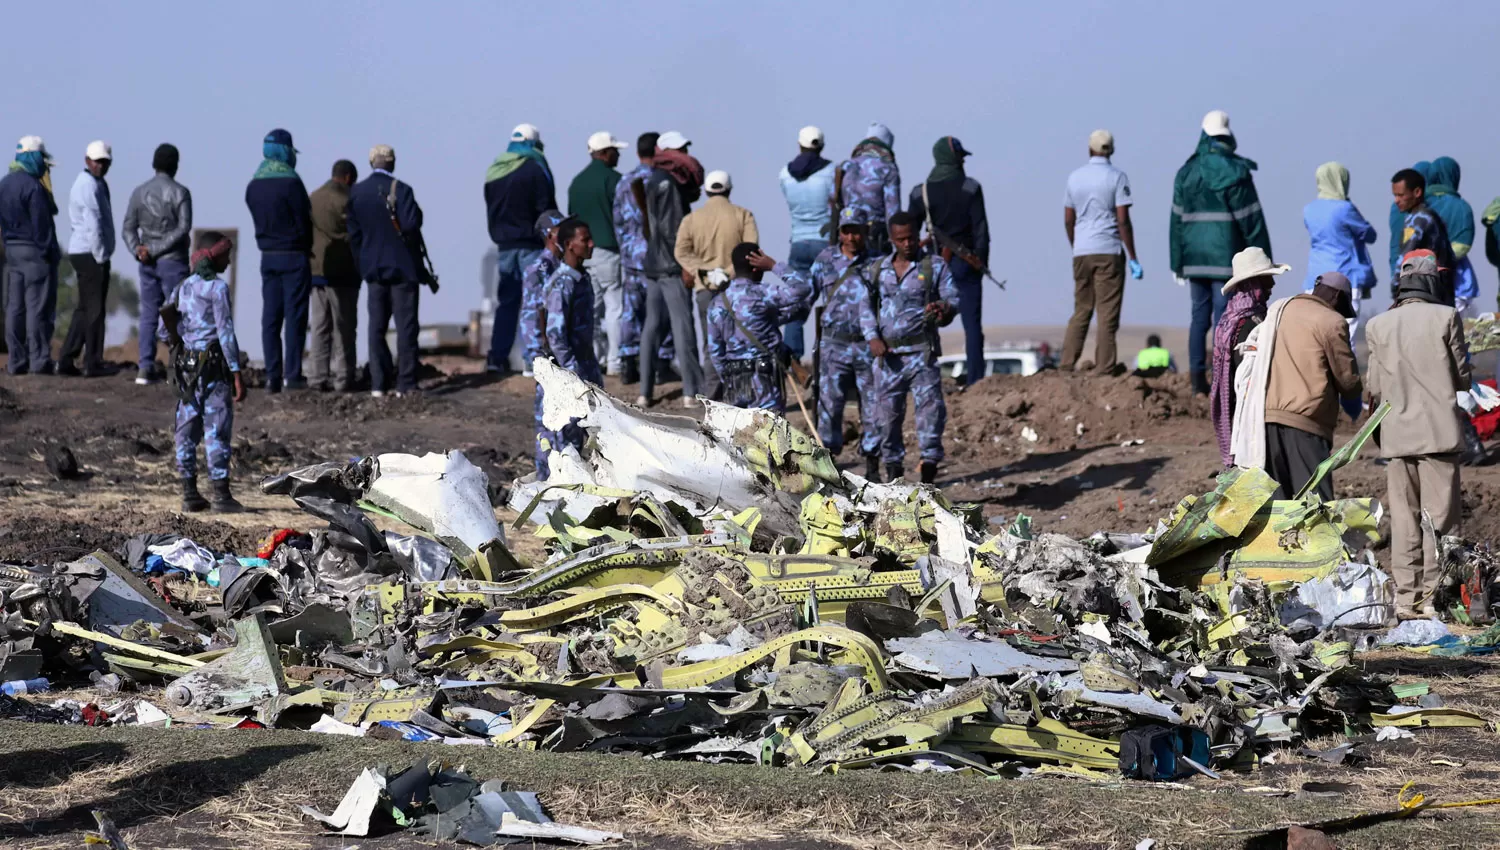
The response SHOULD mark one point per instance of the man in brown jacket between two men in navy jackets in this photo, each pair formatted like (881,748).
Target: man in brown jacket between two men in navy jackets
(334,319)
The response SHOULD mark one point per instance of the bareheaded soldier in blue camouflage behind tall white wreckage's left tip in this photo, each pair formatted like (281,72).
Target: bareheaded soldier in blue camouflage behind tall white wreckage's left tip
(569,307)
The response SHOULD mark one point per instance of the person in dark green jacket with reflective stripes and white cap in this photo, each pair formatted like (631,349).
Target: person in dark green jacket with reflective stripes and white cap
(1216,214)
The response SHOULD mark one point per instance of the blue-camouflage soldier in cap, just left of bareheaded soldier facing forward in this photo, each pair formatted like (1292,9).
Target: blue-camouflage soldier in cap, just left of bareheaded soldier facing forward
(848,326)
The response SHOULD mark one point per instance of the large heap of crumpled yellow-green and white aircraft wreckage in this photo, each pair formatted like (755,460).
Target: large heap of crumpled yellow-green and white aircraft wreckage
(719,591)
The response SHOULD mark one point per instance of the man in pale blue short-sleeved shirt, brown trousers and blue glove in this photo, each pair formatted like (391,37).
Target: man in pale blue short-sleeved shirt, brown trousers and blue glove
(1096,212)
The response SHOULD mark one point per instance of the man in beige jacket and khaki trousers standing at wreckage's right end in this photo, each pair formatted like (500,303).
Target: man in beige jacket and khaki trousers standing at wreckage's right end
(1418,362)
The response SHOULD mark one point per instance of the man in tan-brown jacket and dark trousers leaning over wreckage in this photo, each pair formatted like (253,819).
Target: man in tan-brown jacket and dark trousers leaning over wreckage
(1312,368)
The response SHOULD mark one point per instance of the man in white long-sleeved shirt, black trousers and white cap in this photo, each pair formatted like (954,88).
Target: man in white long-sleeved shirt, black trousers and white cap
(89,250)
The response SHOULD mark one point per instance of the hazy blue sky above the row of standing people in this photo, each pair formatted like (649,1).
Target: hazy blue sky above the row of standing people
(1021,83)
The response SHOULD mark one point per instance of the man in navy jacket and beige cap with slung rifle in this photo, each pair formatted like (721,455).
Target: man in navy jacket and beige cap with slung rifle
(386,236)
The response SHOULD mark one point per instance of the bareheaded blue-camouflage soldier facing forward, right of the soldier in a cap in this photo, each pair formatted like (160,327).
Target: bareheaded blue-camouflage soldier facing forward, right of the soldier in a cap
(917,296)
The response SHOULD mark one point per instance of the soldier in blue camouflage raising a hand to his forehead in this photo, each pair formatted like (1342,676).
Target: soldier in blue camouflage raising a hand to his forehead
(745,329)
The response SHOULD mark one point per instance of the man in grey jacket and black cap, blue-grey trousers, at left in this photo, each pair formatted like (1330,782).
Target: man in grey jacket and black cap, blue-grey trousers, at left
(158,224)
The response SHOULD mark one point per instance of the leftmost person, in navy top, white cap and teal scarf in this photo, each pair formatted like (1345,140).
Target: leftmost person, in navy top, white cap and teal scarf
(32,254)
